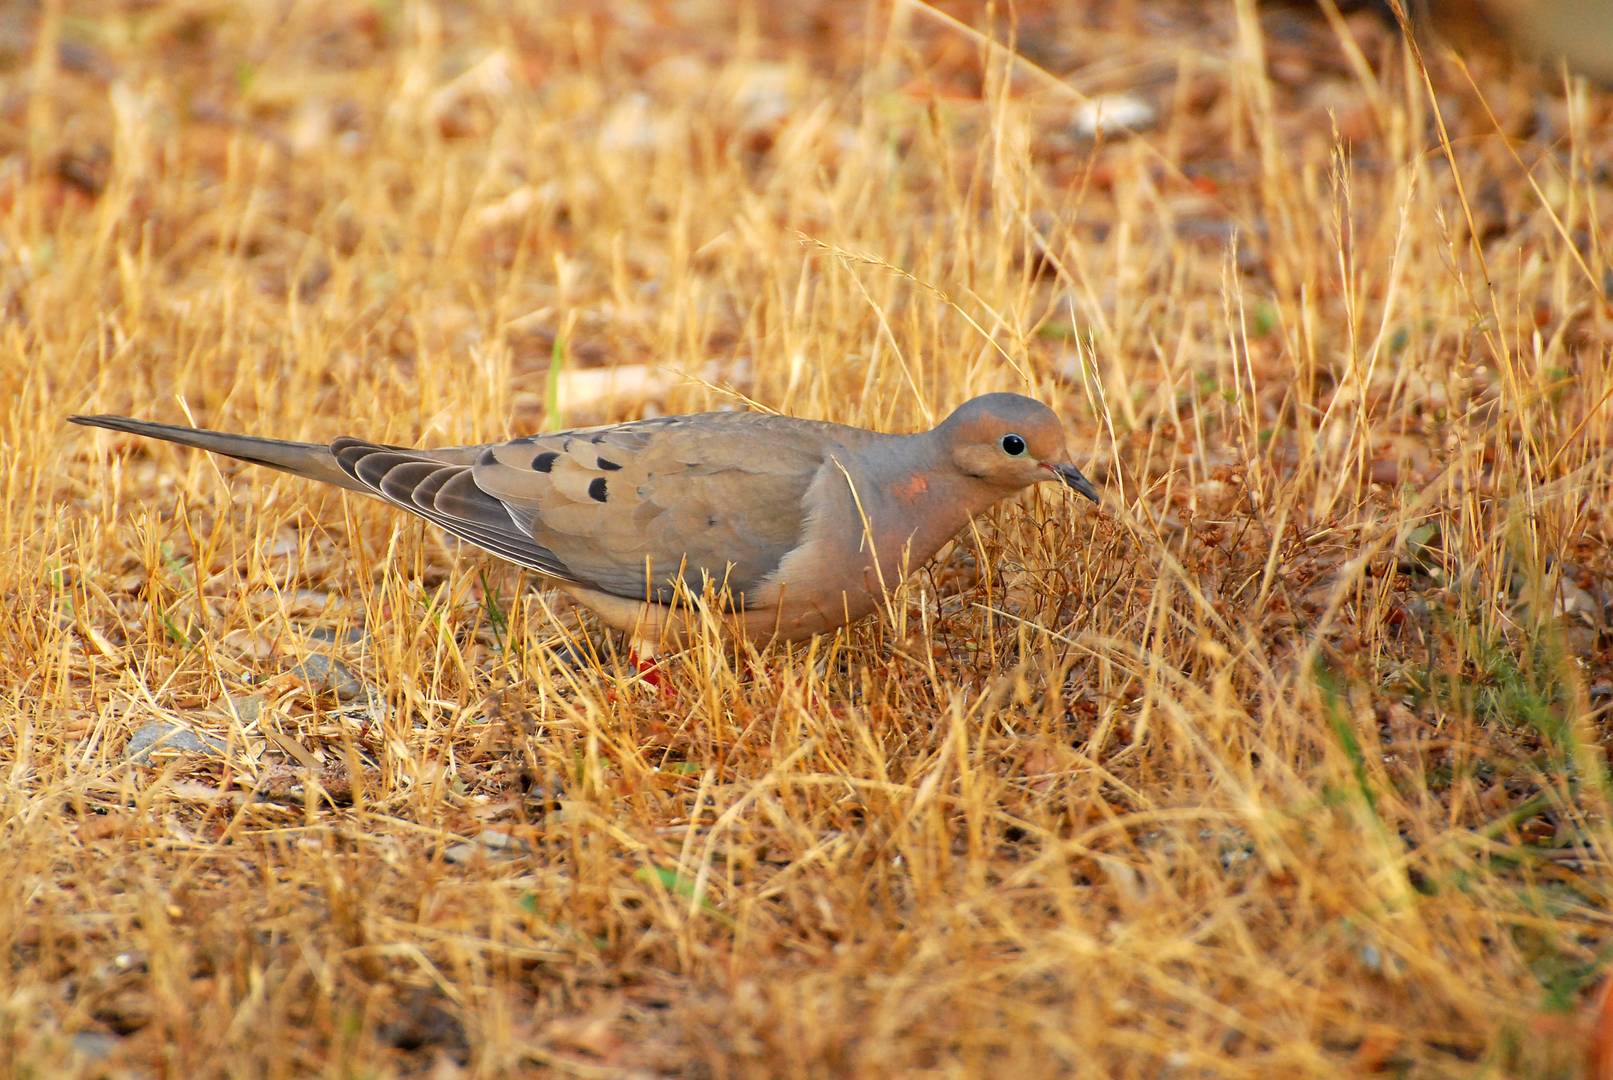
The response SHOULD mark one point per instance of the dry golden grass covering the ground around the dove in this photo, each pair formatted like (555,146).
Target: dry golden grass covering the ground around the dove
(1288,760)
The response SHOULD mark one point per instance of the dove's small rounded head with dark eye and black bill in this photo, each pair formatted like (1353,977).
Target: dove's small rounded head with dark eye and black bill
(1011,442)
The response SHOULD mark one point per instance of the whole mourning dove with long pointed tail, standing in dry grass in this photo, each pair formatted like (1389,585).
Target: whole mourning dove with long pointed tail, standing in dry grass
(796,526)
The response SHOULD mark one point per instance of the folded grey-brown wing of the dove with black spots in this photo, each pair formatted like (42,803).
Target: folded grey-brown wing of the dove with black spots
(623,510)
